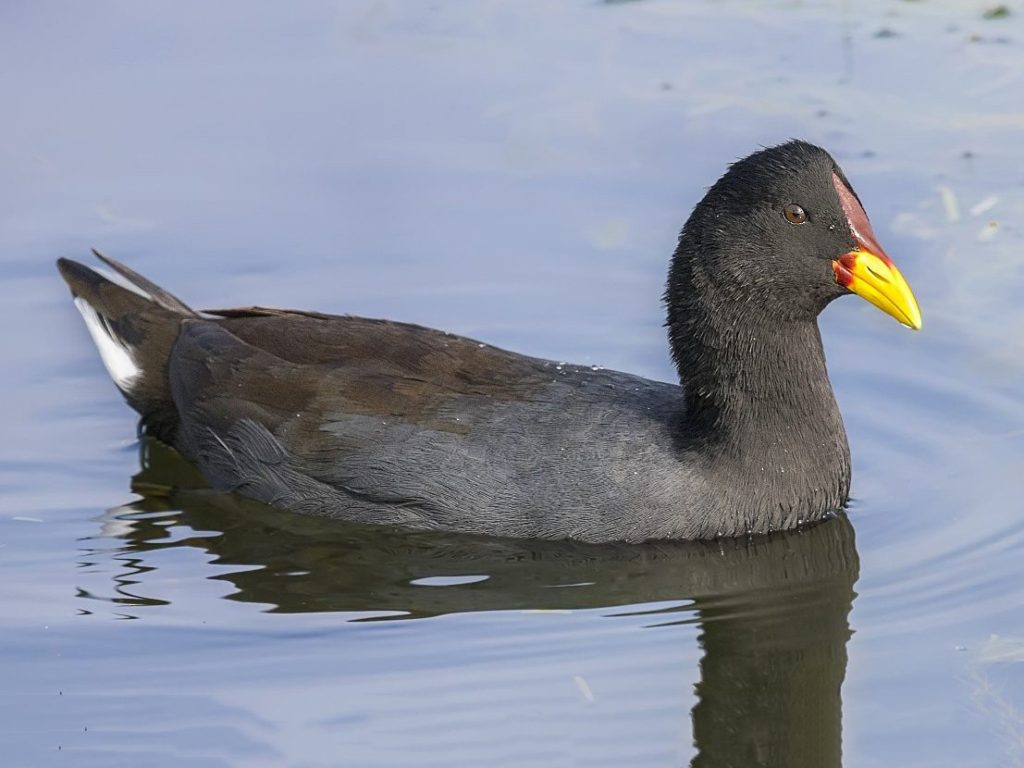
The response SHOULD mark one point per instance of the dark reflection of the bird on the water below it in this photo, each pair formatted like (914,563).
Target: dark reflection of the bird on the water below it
(774,611)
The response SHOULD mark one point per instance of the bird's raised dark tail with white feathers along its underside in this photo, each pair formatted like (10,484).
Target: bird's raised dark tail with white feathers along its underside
(135,324)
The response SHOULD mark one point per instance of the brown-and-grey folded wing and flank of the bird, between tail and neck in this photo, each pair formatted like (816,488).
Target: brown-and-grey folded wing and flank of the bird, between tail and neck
(394,423)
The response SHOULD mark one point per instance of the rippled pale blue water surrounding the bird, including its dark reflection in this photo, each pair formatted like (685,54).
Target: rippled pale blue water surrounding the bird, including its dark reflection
(517,173)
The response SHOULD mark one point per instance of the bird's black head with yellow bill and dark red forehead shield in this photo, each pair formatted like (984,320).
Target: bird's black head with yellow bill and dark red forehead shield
(780,236)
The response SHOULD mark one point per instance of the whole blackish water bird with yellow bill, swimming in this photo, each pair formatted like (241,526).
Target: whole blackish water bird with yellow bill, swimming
(397,424)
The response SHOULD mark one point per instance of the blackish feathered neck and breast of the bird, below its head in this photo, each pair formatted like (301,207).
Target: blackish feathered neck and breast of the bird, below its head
(760,411)
